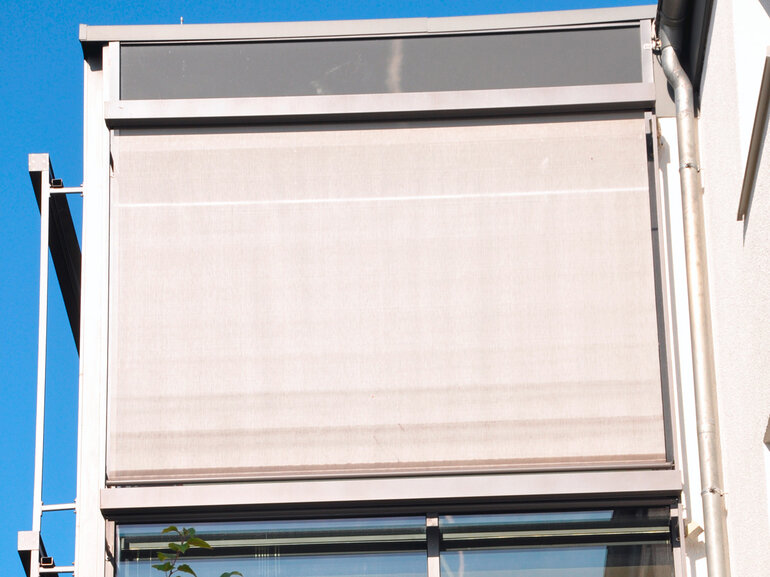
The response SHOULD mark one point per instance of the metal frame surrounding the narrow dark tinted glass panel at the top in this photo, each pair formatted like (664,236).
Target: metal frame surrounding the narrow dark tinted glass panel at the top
(547,99)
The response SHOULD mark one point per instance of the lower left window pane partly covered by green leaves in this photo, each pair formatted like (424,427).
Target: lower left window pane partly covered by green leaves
(316,548)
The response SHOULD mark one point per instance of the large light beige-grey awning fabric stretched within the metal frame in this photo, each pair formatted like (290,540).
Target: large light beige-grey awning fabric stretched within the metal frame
(356,299)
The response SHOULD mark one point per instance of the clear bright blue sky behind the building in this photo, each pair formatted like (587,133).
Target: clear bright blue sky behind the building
(41,74)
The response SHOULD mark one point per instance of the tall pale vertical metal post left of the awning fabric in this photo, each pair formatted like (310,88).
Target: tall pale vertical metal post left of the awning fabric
(92,528)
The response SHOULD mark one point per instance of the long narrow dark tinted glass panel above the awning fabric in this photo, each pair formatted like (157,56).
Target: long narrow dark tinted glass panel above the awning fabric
(382,65)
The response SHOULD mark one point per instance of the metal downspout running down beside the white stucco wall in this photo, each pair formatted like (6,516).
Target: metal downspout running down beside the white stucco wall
(672,14)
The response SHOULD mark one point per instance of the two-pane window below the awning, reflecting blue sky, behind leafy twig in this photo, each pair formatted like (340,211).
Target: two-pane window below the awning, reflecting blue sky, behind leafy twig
(586,543)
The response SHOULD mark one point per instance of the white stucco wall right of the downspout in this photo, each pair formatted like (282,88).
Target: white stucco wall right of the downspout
(739,269)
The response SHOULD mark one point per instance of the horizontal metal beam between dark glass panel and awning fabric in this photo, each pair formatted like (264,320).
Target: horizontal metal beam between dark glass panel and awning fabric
(384,106)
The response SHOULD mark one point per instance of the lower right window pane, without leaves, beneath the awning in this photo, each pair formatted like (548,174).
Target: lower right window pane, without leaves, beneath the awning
(606,543)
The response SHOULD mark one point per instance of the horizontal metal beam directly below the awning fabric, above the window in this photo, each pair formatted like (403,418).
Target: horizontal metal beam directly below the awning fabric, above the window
(394,491)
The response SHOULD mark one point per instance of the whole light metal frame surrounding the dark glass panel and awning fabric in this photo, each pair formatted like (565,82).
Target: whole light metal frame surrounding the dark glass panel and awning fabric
(99,506)
